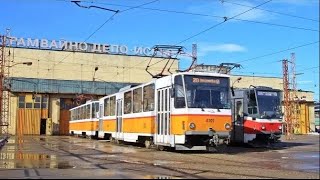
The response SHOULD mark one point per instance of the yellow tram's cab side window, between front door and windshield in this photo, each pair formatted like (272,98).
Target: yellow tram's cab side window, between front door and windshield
(179,93)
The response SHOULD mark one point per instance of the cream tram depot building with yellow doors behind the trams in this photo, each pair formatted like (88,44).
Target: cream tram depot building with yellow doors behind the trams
(58,80)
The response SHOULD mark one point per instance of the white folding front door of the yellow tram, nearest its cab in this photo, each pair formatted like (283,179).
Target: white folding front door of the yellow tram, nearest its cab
(163,116)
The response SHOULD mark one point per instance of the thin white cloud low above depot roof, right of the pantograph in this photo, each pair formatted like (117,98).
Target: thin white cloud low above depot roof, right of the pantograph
(205,48)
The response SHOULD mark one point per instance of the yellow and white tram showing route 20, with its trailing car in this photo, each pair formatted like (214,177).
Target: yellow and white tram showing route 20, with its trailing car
(184,111)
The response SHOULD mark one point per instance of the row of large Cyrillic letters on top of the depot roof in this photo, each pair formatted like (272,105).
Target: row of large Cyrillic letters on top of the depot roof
(76,46)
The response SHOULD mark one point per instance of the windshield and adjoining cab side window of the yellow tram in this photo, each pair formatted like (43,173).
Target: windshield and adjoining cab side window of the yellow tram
(202,92)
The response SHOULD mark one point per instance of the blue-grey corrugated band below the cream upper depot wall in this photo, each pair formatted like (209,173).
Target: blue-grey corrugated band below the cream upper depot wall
(64,86)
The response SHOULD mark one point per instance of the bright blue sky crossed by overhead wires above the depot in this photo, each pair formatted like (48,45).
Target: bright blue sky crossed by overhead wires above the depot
(236,41)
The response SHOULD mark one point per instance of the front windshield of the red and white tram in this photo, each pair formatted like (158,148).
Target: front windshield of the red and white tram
(269,104)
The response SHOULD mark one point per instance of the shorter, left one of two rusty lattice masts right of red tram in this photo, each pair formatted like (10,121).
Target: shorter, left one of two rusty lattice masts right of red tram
(286,97)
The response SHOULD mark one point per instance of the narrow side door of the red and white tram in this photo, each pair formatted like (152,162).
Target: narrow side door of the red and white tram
(238,118)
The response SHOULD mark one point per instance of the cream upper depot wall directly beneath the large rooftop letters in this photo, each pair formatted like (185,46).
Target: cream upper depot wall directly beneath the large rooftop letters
(63,65)
